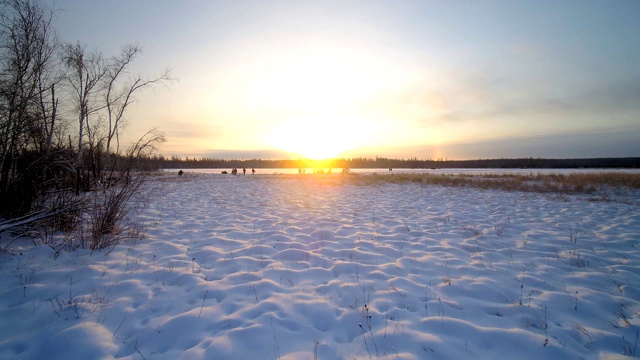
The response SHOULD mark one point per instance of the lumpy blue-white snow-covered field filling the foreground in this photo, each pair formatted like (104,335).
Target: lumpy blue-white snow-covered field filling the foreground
(306,267)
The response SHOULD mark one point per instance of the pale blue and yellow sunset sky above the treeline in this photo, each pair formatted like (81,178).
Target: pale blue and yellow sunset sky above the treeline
(402,79)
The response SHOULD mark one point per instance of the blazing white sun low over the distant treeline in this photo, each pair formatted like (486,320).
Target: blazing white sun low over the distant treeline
(318,137)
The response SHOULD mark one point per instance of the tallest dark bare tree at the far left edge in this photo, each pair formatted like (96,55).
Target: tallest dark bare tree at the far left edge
(27,46)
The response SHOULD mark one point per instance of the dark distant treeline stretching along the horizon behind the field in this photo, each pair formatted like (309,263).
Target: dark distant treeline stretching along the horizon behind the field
(176,162)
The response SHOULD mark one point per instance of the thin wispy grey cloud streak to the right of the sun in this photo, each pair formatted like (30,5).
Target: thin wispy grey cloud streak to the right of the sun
(472,103)
